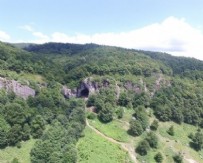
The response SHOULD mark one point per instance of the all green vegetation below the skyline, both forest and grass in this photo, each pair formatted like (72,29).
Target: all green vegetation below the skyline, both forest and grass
(148,101)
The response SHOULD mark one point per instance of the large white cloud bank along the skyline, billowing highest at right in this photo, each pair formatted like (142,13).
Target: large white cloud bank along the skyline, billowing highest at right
(173,35)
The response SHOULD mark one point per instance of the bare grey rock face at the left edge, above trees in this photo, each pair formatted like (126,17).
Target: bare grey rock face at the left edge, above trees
(19,89)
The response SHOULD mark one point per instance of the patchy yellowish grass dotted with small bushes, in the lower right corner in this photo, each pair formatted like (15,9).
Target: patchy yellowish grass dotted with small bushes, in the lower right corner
(170,145)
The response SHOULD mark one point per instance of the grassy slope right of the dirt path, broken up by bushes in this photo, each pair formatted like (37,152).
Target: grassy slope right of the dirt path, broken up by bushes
(168,145)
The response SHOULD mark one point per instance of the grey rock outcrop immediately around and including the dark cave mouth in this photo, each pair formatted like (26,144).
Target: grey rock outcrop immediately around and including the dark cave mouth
(87,87)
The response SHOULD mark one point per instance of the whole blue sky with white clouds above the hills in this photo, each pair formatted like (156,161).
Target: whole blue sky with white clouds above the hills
(172,26)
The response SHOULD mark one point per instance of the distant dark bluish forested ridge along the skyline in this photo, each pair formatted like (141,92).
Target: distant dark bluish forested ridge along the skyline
(179,65)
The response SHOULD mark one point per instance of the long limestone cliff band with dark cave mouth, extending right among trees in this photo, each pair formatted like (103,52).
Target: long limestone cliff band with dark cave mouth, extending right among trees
(88,86)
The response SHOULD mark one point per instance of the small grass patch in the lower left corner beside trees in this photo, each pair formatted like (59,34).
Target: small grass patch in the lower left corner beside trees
(22,154)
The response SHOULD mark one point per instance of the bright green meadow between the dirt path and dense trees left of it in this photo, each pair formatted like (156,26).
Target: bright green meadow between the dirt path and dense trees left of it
(95,149)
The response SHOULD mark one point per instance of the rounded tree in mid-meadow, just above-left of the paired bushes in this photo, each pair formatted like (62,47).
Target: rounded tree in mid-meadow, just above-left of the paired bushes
(135,128)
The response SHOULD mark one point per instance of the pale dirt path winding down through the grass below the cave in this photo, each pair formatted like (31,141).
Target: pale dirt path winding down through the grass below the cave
(126,146)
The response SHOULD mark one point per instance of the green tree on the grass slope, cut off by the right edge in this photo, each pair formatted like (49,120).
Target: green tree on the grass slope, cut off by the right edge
(197,140)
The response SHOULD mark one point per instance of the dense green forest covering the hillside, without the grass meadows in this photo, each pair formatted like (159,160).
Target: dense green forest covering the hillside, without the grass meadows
(170,86)
